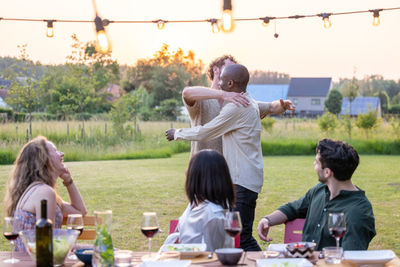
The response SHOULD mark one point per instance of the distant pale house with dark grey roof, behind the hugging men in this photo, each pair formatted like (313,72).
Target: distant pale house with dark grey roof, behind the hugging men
(308,95)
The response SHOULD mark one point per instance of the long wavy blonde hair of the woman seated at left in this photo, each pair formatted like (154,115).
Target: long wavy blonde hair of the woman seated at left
(33,164)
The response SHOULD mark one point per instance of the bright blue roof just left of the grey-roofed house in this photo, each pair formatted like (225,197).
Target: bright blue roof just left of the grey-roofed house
(268,92)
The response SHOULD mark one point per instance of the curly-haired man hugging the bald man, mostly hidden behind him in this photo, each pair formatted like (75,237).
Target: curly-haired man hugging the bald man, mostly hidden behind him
(204,104)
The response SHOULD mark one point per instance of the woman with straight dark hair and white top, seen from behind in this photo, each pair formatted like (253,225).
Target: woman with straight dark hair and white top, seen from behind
(210,191)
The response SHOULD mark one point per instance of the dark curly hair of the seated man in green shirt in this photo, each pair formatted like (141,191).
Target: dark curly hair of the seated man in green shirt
(338,156)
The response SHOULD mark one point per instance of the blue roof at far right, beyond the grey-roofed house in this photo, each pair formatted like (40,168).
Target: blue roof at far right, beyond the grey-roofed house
(360,105)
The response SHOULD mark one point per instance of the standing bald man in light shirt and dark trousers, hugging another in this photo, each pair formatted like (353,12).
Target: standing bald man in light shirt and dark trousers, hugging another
(240,128)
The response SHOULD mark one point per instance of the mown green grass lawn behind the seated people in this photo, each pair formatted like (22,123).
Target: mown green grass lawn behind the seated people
(130,187)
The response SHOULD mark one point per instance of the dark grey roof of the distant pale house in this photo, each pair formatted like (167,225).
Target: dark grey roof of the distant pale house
(309,86)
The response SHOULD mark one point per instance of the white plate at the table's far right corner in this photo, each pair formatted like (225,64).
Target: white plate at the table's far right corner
(369,256)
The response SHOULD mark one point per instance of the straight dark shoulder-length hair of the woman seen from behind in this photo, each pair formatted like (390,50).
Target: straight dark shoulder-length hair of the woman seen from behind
(208,178)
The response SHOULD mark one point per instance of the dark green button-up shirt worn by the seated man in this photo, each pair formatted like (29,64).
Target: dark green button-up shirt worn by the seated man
(315,207)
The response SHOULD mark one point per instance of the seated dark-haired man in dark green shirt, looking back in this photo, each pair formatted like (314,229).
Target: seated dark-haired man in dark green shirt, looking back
(334,164)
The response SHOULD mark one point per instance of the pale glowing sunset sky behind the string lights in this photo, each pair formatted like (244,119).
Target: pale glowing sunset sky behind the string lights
(304,47)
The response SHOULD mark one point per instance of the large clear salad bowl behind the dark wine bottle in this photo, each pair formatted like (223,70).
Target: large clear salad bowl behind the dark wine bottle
(63,240)
